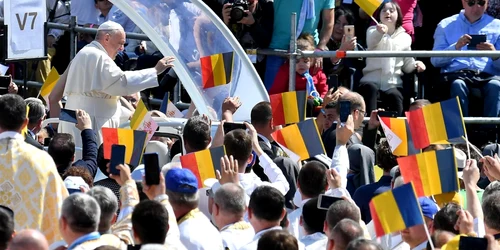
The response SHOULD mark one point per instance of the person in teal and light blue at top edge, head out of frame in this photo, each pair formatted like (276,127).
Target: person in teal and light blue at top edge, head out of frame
(308,15)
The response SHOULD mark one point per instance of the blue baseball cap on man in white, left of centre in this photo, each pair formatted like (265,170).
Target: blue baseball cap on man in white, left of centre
(181,180)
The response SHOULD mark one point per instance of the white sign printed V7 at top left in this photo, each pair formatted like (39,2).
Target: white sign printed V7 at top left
(26,36)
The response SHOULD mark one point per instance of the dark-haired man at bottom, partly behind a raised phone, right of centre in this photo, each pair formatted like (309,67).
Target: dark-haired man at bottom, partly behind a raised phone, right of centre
(312,221)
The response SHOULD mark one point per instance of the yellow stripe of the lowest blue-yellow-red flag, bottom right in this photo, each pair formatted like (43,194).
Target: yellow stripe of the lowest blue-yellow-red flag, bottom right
(386,207)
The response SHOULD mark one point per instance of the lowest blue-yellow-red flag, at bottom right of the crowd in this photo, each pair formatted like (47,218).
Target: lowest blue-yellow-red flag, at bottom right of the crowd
(396,210)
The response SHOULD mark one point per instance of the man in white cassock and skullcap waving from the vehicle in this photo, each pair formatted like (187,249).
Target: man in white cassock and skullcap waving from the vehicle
(94,83)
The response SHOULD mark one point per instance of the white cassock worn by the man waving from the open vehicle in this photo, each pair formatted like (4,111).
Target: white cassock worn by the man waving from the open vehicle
(95,84)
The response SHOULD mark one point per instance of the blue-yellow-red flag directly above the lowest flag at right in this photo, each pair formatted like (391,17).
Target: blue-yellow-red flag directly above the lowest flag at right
(432,173)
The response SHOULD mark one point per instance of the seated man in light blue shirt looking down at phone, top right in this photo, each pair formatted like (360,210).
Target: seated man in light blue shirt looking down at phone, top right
(455,33)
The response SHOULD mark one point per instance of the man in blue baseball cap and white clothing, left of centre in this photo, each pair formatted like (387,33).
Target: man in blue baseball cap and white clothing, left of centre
(197,233)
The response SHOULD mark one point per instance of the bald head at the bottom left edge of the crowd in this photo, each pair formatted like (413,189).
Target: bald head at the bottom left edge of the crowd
(29,240)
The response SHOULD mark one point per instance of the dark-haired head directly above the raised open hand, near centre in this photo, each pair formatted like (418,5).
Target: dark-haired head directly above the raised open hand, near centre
(238,143)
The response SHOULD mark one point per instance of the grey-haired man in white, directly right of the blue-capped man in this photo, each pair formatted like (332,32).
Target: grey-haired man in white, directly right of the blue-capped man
(228,210)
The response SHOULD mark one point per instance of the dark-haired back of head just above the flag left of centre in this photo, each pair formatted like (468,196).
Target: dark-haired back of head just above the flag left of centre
(197,133)
